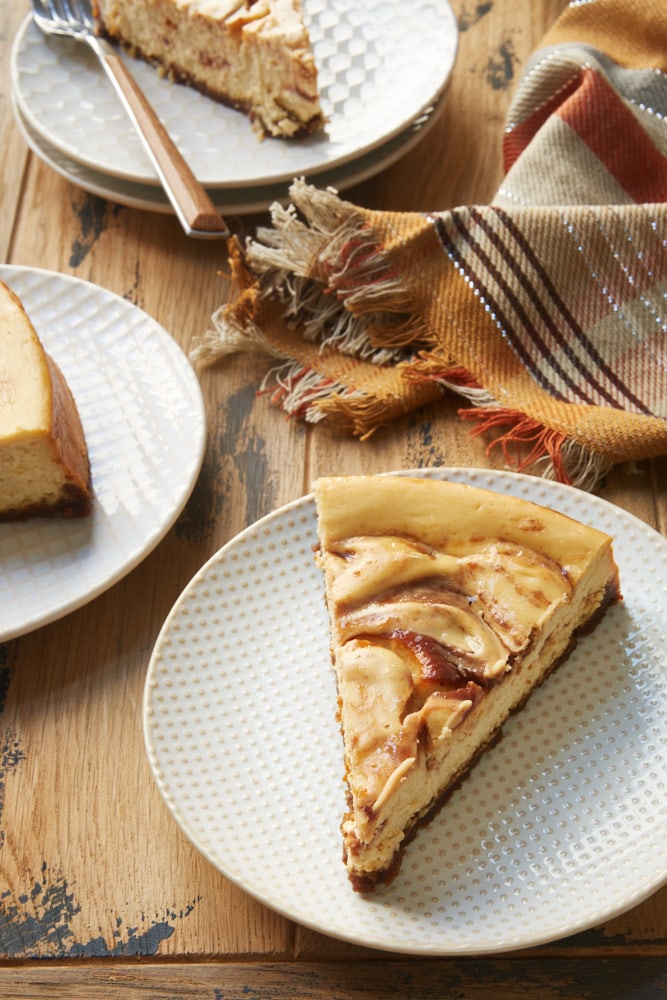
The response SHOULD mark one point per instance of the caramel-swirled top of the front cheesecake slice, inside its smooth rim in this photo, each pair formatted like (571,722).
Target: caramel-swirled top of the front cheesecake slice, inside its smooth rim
(417,657)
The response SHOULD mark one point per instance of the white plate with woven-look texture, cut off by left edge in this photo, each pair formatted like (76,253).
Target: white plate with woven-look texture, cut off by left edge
(143,416)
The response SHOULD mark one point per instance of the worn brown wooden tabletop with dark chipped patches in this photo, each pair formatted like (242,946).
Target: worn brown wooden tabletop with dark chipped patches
(100,892)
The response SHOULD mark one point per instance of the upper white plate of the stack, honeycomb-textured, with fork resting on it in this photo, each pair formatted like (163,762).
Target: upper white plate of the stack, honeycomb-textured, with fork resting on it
(380,65)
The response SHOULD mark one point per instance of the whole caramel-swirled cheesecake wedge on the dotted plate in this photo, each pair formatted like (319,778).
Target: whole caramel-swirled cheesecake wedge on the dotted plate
(447,604)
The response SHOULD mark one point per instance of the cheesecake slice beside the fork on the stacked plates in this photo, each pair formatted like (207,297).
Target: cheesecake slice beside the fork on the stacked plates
(254,55)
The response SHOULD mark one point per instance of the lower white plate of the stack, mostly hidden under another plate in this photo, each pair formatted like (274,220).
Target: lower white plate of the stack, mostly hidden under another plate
(227,200)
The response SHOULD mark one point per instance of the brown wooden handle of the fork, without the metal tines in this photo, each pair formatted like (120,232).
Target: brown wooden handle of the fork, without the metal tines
(195,210)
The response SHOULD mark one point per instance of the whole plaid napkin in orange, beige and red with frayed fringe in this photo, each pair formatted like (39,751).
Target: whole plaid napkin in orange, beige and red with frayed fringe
(546,311)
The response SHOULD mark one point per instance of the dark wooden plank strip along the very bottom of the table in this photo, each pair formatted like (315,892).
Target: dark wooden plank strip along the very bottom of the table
(642,978)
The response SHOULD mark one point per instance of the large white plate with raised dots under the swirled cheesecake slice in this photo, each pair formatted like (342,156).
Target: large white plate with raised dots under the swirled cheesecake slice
(559,826)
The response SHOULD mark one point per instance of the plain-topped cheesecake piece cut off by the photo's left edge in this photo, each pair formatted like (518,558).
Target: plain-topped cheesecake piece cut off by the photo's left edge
(44,465)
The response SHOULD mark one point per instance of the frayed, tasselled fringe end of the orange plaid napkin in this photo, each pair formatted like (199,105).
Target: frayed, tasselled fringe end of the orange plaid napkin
(322,269)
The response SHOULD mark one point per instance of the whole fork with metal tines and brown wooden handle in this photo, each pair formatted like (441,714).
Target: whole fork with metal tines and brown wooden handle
(194,209)
